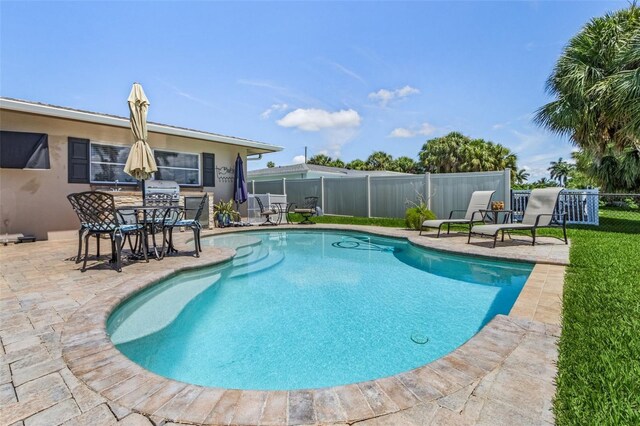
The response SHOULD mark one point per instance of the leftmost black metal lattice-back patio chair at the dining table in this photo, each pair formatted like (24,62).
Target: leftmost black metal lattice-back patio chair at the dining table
(99,217)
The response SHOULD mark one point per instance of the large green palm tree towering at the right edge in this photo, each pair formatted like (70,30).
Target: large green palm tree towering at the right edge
(597,89)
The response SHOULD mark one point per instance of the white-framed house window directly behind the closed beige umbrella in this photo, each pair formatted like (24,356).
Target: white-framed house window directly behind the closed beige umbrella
(107,164)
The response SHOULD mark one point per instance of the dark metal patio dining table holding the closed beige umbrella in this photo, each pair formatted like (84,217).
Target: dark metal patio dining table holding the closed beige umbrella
(150,219)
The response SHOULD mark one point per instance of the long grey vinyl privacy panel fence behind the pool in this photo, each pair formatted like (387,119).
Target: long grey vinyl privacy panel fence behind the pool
(390,196)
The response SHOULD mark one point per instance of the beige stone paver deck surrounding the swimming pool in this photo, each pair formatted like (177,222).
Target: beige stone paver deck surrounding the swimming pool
(57,366)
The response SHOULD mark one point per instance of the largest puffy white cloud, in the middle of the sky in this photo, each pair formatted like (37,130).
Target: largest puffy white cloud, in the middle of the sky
(313,120)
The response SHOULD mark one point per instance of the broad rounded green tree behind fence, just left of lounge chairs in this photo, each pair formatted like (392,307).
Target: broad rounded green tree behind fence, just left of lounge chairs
(458,153)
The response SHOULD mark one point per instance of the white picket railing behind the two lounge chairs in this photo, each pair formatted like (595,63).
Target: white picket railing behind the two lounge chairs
(580,205)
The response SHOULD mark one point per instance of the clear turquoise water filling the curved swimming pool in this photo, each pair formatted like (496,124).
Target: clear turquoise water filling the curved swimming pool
(298,309)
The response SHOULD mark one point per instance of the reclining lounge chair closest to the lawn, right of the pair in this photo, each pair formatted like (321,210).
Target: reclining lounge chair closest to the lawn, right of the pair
(538,214)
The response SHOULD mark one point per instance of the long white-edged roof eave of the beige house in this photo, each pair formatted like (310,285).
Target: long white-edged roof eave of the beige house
(38,108)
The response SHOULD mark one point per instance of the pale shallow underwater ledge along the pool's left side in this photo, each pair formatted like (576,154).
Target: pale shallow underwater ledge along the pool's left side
(160,307)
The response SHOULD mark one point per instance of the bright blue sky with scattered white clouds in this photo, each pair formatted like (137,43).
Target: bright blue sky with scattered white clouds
(344,79)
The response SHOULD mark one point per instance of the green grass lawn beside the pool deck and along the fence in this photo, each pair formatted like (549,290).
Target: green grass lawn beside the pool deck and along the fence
(599,361)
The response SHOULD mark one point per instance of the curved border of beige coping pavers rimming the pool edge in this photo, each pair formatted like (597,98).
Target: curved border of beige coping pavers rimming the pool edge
(93,359)
